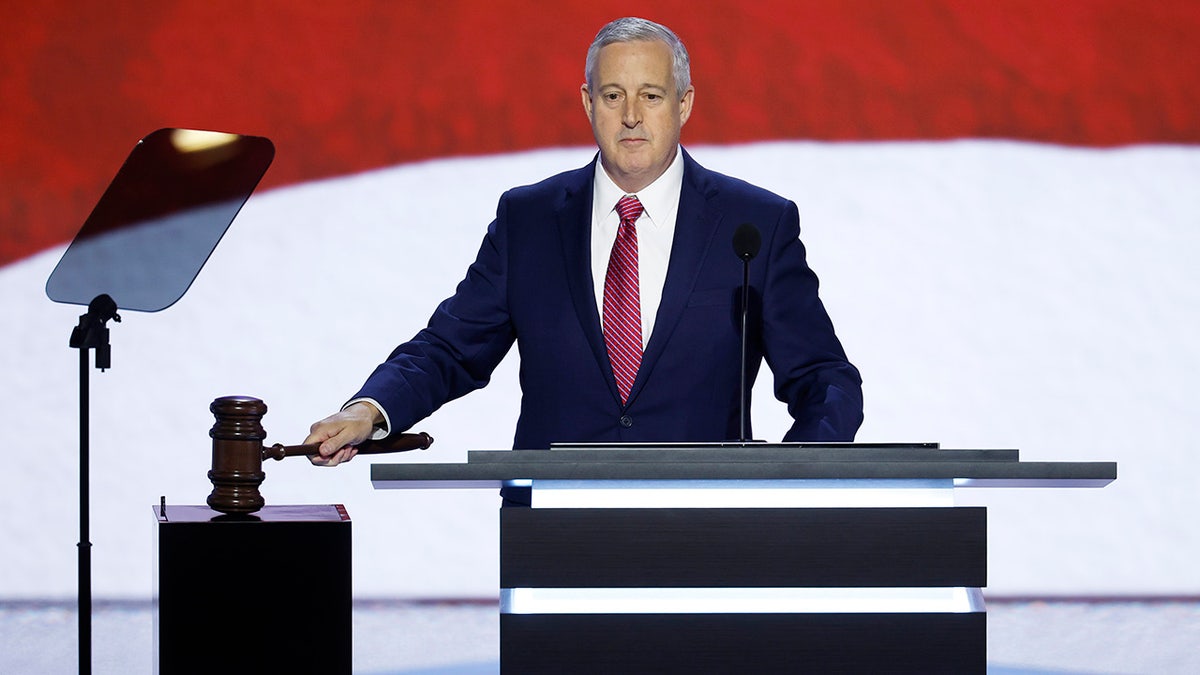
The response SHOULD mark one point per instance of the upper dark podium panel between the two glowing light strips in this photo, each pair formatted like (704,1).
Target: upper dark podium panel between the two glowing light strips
(554,548)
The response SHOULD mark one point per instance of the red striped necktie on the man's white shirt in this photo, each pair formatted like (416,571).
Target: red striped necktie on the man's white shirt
(622,301)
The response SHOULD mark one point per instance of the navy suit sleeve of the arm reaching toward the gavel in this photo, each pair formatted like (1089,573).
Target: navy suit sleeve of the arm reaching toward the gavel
(466,339)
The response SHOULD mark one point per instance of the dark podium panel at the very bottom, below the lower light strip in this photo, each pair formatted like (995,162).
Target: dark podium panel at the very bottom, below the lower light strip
(743,643)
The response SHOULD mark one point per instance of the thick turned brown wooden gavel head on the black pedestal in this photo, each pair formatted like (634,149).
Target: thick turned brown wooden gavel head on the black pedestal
(238,439)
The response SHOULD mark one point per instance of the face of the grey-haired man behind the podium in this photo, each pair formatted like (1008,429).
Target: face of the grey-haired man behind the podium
(635,111)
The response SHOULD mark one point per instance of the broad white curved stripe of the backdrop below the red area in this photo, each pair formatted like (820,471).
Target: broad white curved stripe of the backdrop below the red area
(994,295)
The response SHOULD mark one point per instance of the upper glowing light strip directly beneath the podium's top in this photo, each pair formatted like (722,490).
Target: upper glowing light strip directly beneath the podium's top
(742,494)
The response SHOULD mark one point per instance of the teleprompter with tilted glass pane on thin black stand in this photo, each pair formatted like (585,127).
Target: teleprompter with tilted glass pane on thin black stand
(141,249)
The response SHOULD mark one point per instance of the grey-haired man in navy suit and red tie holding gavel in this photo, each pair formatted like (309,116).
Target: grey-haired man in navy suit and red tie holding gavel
(541,282)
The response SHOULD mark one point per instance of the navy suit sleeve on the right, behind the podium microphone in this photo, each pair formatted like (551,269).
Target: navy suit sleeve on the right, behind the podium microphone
(821,389)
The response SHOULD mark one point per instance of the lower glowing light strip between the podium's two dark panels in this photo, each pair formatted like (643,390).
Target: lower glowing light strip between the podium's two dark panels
(742,601)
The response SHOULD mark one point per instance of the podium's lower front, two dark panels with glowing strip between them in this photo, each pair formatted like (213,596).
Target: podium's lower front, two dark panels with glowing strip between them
(736,590)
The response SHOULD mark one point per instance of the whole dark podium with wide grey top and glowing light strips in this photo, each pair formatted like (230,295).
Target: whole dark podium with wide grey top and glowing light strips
(743,558)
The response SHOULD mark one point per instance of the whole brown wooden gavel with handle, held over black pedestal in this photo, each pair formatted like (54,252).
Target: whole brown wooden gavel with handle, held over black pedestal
(238,453)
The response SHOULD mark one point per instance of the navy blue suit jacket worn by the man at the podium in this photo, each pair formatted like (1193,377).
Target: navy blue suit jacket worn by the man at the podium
(532,284)
